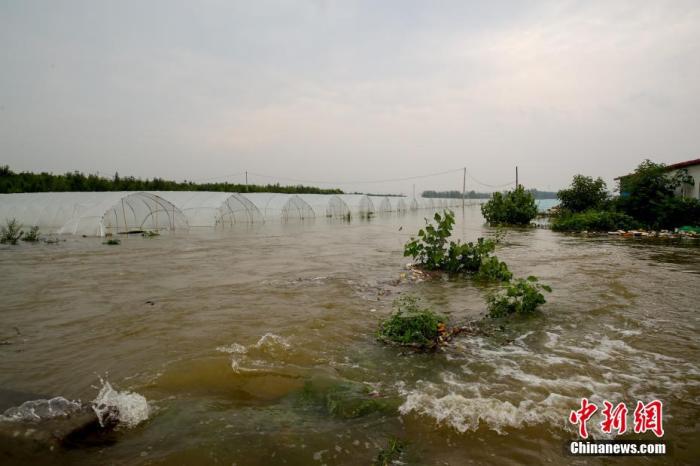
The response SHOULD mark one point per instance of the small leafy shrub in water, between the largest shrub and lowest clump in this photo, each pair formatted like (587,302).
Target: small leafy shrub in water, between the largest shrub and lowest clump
(521,296)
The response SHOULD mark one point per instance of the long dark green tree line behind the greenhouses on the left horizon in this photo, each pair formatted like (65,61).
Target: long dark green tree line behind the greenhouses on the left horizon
(27,182)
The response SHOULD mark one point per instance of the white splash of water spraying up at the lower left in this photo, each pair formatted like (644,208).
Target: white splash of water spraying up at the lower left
(126,408)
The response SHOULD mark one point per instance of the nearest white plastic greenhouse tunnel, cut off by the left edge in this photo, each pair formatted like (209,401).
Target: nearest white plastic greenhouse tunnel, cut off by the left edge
(92,213)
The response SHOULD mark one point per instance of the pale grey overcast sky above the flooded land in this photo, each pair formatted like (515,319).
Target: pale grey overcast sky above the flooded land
(343,91)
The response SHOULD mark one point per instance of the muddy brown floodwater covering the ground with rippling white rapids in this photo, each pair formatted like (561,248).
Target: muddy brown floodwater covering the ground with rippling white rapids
(256,346)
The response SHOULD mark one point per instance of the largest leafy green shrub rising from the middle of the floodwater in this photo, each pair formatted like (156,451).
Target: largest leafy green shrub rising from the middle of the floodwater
(432,251)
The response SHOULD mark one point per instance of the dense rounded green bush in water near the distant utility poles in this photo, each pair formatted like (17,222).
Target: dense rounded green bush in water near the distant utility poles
(515,207)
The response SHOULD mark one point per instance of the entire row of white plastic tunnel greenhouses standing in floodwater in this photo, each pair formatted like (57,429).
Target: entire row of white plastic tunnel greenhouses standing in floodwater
(105,213)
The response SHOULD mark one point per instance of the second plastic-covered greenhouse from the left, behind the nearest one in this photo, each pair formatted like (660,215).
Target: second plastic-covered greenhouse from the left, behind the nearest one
(211,209)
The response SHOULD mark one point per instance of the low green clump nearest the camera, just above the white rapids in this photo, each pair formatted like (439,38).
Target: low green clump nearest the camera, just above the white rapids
(412,325)
